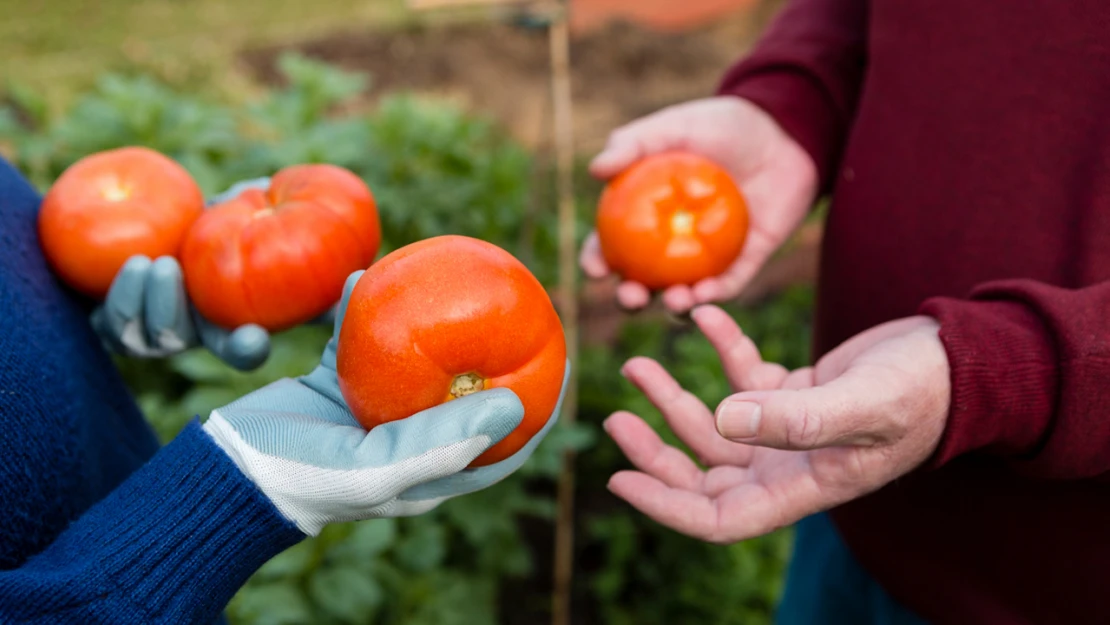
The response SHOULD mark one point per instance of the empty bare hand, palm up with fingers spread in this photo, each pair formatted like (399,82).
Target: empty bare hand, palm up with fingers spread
(788,445)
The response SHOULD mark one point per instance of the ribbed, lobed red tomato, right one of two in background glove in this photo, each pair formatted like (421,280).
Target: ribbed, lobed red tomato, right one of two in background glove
(280,258)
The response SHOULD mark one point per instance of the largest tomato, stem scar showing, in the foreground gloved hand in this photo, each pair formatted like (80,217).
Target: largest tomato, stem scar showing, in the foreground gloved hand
(445,318)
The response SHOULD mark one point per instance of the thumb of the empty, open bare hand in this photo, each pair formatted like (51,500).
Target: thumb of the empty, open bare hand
(834,415)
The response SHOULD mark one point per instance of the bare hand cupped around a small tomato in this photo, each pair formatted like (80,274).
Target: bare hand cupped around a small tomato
(775,175)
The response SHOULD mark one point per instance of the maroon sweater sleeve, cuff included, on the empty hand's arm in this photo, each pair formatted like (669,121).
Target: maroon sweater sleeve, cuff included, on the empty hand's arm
(1031,374)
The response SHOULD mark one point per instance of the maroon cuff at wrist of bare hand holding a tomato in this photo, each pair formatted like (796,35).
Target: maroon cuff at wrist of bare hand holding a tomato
(800,106)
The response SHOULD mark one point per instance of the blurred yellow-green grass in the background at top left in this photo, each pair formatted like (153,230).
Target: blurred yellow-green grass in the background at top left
(59,47)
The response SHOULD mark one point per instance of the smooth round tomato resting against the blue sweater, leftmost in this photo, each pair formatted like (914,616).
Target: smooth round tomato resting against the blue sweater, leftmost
(112,206)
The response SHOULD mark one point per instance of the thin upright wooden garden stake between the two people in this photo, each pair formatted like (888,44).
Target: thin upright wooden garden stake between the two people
(559,33)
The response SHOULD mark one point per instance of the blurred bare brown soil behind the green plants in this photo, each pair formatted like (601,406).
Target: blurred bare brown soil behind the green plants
(621,70)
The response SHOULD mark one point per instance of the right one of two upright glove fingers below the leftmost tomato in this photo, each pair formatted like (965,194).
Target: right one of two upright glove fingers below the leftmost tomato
(168,324)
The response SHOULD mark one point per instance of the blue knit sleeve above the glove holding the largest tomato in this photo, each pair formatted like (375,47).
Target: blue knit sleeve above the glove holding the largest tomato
(171,545)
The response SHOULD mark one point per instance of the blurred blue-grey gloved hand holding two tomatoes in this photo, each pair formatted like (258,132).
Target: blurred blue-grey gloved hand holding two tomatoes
(148,315)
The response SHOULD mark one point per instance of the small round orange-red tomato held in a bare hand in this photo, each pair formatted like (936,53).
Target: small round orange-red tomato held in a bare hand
(673,218)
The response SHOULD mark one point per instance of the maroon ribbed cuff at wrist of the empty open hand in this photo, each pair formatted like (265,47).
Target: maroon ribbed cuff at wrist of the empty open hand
(1004,378)
